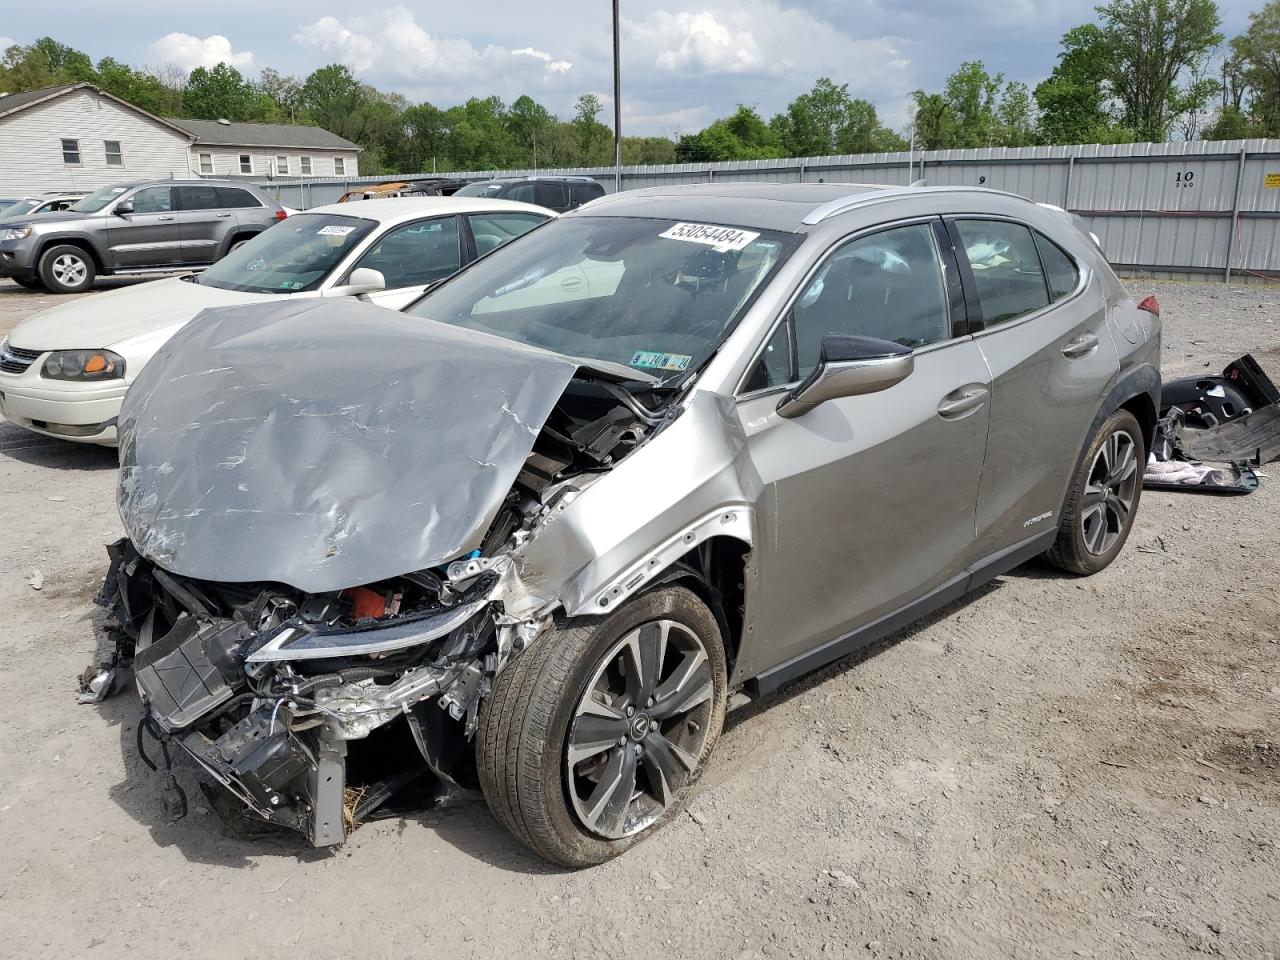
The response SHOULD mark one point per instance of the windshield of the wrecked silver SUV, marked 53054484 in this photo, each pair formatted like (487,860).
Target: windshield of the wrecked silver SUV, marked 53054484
(657,296)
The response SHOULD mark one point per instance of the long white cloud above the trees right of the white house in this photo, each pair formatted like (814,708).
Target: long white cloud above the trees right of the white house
(391,44)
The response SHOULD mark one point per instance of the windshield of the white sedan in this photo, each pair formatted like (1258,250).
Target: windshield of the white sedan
(292,257)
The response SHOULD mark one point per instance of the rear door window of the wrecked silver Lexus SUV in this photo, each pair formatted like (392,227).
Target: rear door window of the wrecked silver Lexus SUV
(1007,269)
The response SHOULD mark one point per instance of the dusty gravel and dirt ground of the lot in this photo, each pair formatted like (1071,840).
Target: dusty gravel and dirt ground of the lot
(1052,769)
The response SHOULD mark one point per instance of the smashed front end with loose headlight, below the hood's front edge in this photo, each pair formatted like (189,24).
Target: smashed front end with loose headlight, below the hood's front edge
(314,711)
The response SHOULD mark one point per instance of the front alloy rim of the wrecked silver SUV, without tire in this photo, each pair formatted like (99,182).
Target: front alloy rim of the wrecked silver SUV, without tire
(639,730)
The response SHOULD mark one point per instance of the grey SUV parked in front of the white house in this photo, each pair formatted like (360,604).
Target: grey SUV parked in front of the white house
(134,228)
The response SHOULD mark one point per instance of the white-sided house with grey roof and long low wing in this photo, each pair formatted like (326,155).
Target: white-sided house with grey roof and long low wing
(80,138)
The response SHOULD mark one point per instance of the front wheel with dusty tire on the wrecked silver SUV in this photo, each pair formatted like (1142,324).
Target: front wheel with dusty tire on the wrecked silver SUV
(550,725)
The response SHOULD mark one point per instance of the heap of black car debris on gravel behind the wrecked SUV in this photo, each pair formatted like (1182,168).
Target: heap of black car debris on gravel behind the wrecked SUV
(1214,431)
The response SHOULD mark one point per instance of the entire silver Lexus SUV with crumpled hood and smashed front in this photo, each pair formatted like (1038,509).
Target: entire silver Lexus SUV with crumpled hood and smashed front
(529,536)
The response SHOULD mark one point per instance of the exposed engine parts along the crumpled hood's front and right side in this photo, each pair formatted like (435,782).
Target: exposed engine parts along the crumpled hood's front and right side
(318,710)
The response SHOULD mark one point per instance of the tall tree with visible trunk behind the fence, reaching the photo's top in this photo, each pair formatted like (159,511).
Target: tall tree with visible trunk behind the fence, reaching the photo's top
(1150,47)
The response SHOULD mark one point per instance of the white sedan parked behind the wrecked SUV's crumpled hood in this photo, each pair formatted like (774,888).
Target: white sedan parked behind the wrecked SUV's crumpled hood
(66,371)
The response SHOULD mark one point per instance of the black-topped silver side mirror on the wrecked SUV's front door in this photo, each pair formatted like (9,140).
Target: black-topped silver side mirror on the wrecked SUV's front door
(849,367)
